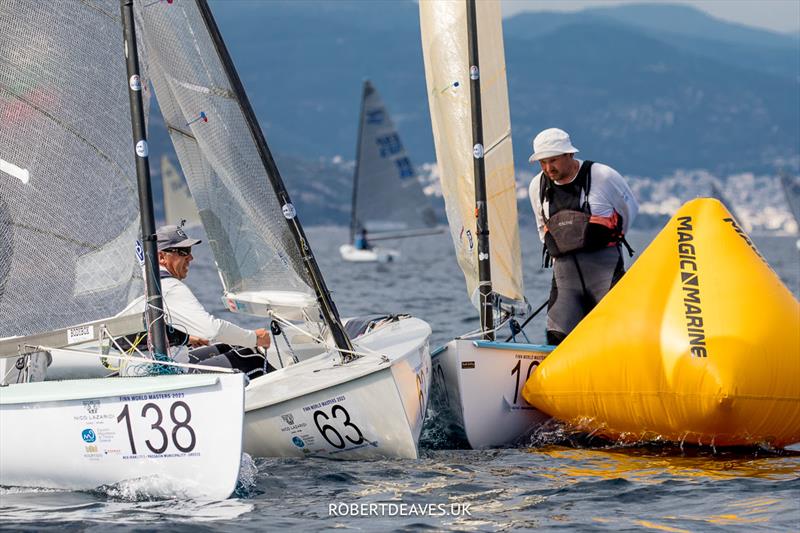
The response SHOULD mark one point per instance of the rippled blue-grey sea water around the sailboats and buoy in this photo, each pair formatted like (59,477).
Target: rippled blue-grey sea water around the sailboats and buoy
(557,482)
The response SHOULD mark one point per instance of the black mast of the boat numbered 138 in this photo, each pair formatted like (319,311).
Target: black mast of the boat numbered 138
(154,310)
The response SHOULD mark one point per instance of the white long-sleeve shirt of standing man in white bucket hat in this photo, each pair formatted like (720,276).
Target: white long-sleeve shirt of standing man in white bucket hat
(608,192)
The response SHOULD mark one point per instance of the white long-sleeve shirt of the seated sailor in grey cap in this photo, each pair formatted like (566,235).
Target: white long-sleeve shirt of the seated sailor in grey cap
(185,312)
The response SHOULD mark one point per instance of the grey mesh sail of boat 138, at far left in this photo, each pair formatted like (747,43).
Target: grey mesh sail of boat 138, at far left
(69,216)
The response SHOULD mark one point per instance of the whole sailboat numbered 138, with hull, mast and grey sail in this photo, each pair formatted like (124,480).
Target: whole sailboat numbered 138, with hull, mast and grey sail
(69,218)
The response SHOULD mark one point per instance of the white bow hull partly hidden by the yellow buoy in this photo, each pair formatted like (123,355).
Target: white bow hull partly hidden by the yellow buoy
(479,384)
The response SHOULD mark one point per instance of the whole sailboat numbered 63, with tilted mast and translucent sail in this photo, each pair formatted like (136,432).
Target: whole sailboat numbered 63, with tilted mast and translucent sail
(365,393)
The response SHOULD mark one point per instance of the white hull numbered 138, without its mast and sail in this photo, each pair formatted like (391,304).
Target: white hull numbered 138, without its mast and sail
(178,433)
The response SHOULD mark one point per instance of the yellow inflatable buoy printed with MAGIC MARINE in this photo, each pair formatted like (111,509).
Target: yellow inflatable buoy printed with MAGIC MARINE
(699,343)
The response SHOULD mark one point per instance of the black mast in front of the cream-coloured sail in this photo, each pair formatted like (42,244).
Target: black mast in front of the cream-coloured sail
(479,172)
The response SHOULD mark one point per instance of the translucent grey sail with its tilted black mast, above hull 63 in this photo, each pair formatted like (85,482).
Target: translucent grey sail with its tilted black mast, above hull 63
(259,246)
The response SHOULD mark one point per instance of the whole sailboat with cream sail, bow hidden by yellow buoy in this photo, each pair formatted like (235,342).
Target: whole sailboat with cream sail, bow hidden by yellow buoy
(478,379)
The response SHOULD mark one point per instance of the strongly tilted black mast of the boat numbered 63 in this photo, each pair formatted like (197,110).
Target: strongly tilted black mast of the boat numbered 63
(326,305)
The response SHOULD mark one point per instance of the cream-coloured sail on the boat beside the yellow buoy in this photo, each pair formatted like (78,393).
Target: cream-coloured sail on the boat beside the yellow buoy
(445,50)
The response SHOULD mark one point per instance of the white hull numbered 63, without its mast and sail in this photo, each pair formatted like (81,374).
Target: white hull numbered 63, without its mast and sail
(370,408)
